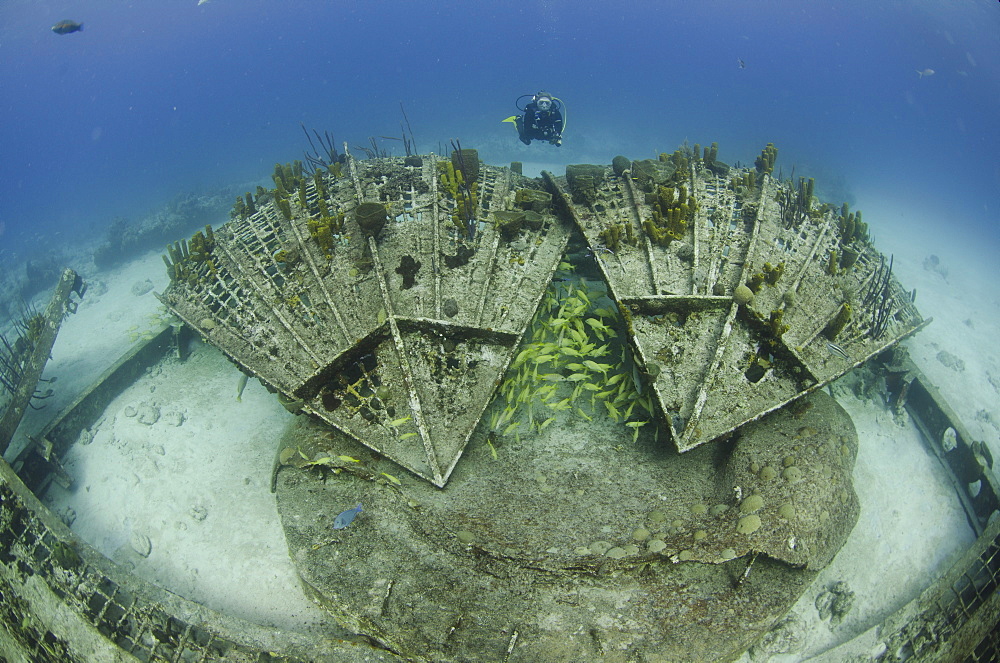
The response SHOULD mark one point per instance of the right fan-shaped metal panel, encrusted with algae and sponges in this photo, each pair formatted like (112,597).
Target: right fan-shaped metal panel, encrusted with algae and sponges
(741,292)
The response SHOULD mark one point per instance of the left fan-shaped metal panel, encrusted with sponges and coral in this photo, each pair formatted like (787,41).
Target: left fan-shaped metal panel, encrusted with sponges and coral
(384,296)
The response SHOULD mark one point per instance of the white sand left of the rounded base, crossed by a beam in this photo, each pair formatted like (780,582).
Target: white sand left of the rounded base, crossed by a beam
(195,482)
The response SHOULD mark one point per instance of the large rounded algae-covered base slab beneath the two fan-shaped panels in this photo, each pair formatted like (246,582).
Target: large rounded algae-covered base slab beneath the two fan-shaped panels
(489,524)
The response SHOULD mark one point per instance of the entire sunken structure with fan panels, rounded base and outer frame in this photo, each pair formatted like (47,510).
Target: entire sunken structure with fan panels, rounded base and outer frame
(468,324)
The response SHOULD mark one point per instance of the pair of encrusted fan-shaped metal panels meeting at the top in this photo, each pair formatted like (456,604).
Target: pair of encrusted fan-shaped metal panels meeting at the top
(387,296)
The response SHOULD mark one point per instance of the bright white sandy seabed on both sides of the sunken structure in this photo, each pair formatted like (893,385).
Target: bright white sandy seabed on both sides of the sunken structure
(199,490)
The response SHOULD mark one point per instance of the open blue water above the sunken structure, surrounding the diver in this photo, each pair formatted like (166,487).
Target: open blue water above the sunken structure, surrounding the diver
(156,98)
